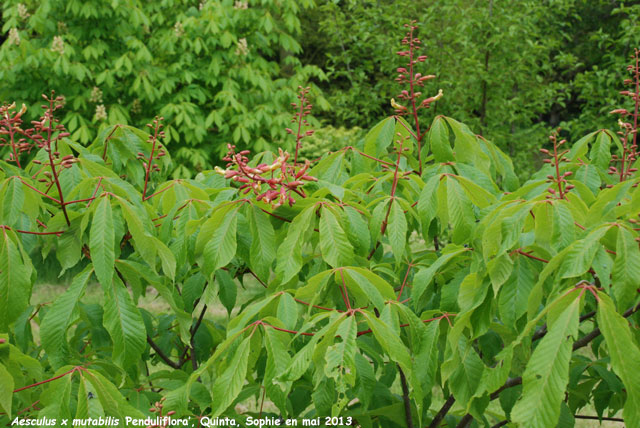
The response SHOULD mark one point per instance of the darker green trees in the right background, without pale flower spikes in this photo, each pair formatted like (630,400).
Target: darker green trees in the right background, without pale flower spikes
(512,71)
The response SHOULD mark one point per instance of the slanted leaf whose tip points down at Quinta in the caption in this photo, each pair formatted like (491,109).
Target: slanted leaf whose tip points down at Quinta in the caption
(229,384)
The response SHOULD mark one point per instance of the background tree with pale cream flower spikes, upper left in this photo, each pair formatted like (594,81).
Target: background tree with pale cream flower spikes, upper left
(219,71)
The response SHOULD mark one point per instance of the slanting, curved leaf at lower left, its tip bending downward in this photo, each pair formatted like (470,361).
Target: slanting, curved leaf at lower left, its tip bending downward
(53,329)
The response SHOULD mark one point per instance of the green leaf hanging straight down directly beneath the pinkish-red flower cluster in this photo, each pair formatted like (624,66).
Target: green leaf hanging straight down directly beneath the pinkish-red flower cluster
(263,244)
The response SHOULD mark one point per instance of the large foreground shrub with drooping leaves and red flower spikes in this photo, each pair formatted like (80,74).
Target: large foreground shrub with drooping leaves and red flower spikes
(356,286)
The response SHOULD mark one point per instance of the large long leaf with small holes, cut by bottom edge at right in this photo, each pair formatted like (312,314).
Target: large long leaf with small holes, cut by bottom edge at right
(547,374)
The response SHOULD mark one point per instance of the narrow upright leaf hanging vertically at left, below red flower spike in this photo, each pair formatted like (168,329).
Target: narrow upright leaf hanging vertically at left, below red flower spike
(101,242)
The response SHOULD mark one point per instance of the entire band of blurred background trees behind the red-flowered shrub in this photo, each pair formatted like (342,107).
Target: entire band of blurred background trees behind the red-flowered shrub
(227,71)
